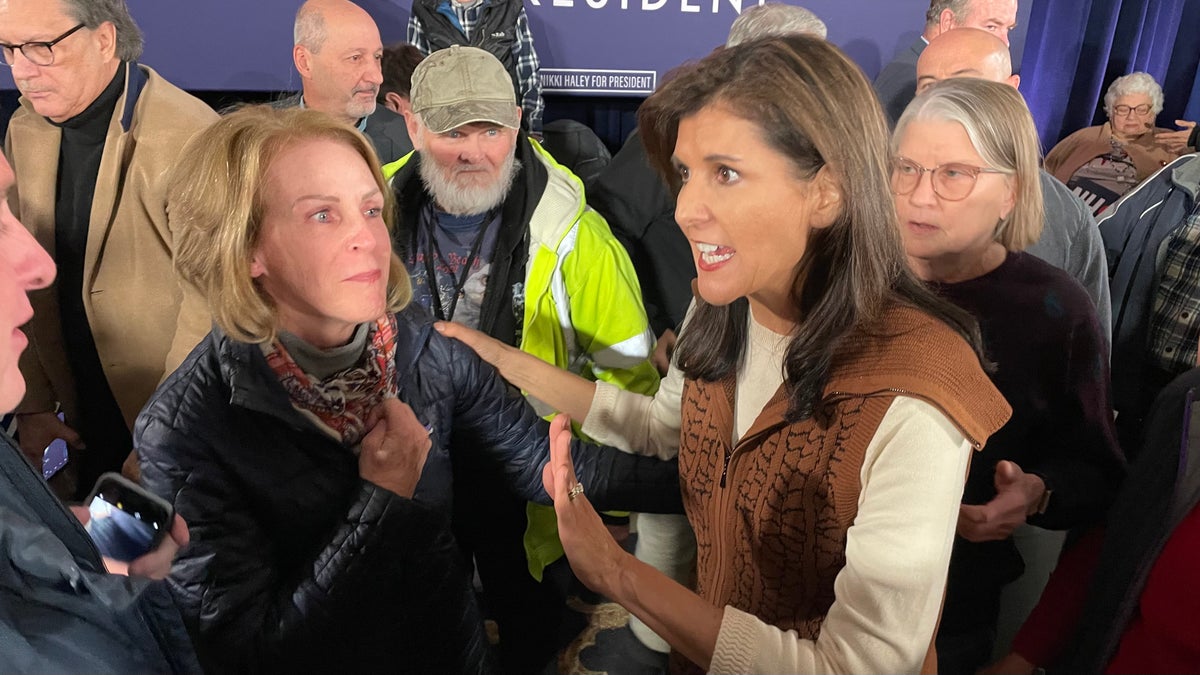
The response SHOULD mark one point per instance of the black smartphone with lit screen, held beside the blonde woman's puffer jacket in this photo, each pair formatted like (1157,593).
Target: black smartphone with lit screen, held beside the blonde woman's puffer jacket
(127,522)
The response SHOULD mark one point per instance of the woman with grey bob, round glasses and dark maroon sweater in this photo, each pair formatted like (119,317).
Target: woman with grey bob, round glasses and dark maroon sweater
(1057,462)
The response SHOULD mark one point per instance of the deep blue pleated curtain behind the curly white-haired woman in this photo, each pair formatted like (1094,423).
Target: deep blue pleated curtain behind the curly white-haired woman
(1076,49)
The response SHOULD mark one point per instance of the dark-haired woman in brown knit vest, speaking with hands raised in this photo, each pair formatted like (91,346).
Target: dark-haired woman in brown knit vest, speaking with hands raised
(823,403)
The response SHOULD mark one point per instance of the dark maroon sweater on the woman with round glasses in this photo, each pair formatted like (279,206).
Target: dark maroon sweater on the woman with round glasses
(1041,331)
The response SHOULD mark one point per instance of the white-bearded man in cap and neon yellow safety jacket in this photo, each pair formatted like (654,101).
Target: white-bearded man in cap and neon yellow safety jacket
(497,236)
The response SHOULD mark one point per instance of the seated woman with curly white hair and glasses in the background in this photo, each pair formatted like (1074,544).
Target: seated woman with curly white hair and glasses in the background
(1103,163)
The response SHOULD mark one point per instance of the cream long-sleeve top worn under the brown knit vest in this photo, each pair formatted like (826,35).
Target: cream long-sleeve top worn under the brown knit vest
(889,595)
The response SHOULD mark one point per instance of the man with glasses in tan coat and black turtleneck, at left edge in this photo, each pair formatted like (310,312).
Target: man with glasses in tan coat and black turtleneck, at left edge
(91,146)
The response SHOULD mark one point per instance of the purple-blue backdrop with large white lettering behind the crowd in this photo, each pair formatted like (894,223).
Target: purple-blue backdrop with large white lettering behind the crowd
(247,46)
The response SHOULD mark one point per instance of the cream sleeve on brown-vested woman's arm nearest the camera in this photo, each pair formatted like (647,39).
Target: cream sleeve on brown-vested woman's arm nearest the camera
(898,551)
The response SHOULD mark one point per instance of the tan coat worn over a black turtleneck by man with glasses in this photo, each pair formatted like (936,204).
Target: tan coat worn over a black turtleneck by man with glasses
(143,319)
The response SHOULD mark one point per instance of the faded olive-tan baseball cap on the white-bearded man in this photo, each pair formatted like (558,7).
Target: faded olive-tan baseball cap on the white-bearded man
(460,86)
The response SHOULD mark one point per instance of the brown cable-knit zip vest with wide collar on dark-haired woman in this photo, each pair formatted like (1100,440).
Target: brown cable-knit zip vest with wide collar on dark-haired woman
(771,513)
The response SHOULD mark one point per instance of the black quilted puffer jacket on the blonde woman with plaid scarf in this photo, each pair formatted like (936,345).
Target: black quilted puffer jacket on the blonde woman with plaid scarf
(299,565)
